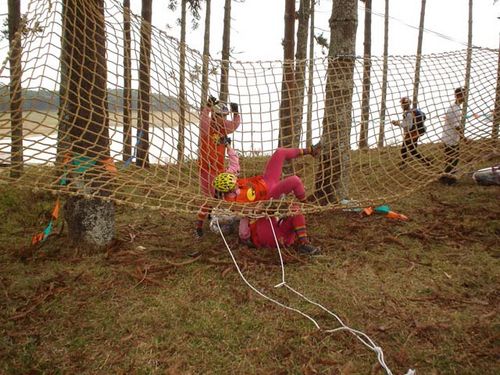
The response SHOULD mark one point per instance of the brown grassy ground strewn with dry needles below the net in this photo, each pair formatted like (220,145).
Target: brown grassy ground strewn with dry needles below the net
(160,302)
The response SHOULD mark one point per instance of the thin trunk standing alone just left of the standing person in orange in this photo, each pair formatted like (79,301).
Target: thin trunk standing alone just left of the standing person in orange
(182,87)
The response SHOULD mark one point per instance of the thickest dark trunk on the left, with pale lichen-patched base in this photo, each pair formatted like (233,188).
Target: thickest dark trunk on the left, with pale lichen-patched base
(90,221)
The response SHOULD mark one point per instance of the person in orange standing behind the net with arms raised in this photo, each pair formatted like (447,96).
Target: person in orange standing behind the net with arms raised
(214,130)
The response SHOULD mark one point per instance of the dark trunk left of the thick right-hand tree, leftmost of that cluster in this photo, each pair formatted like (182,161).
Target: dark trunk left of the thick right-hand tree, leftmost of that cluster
(288,81)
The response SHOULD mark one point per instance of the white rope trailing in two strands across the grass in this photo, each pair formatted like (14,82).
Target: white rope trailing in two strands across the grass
(361,336)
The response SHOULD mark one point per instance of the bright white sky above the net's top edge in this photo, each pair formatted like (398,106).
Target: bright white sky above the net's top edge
(257,26)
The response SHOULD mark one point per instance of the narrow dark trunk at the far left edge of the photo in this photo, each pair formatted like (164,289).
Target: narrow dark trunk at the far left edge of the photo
(15,89)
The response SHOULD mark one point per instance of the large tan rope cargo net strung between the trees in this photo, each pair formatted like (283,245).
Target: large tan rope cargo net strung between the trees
(80,136)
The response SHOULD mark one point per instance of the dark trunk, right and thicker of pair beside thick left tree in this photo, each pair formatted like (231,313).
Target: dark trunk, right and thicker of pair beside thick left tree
(144,96)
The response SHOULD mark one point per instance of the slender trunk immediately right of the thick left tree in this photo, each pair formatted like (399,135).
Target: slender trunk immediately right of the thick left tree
(127,83)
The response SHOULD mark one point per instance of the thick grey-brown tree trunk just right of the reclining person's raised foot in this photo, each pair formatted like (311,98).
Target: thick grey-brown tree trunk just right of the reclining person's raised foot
(332,177)
